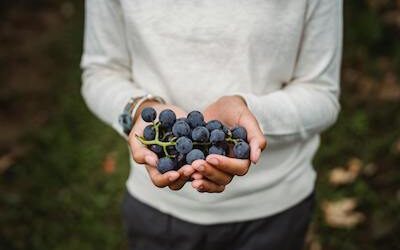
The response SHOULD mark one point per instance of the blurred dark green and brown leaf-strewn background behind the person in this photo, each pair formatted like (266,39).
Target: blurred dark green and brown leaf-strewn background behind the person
(62,171)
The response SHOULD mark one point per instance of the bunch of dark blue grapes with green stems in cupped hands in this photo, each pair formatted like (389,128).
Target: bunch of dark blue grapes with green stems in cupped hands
(180,141)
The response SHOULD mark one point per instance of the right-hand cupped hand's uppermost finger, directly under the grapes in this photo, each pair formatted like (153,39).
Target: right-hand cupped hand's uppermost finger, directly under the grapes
(229,165)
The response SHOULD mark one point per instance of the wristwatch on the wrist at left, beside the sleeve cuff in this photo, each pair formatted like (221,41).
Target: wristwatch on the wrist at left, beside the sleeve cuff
(125,119)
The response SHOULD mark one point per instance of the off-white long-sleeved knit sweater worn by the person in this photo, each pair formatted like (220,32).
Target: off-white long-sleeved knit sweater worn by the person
(282,56)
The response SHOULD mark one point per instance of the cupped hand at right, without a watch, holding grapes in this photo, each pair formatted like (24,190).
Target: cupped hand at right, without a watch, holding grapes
(213,174)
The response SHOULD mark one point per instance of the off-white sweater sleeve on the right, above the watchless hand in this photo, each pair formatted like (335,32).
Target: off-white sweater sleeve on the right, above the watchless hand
(308,104)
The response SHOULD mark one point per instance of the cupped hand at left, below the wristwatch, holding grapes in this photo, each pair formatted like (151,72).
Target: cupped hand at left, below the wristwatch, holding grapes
(175,180)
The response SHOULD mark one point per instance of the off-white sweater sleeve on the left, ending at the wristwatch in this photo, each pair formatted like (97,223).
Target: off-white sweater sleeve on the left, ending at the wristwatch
(107,82)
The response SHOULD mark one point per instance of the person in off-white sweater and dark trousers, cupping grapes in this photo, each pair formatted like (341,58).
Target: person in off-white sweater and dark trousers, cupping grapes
(270,66)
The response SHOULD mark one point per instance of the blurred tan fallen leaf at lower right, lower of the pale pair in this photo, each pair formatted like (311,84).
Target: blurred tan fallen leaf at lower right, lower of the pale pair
(341,214)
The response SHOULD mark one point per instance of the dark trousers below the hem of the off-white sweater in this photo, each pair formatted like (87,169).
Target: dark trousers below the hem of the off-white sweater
(150,229)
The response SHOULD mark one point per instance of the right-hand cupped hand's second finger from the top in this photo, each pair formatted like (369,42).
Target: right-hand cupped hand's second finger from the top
(211,173)
